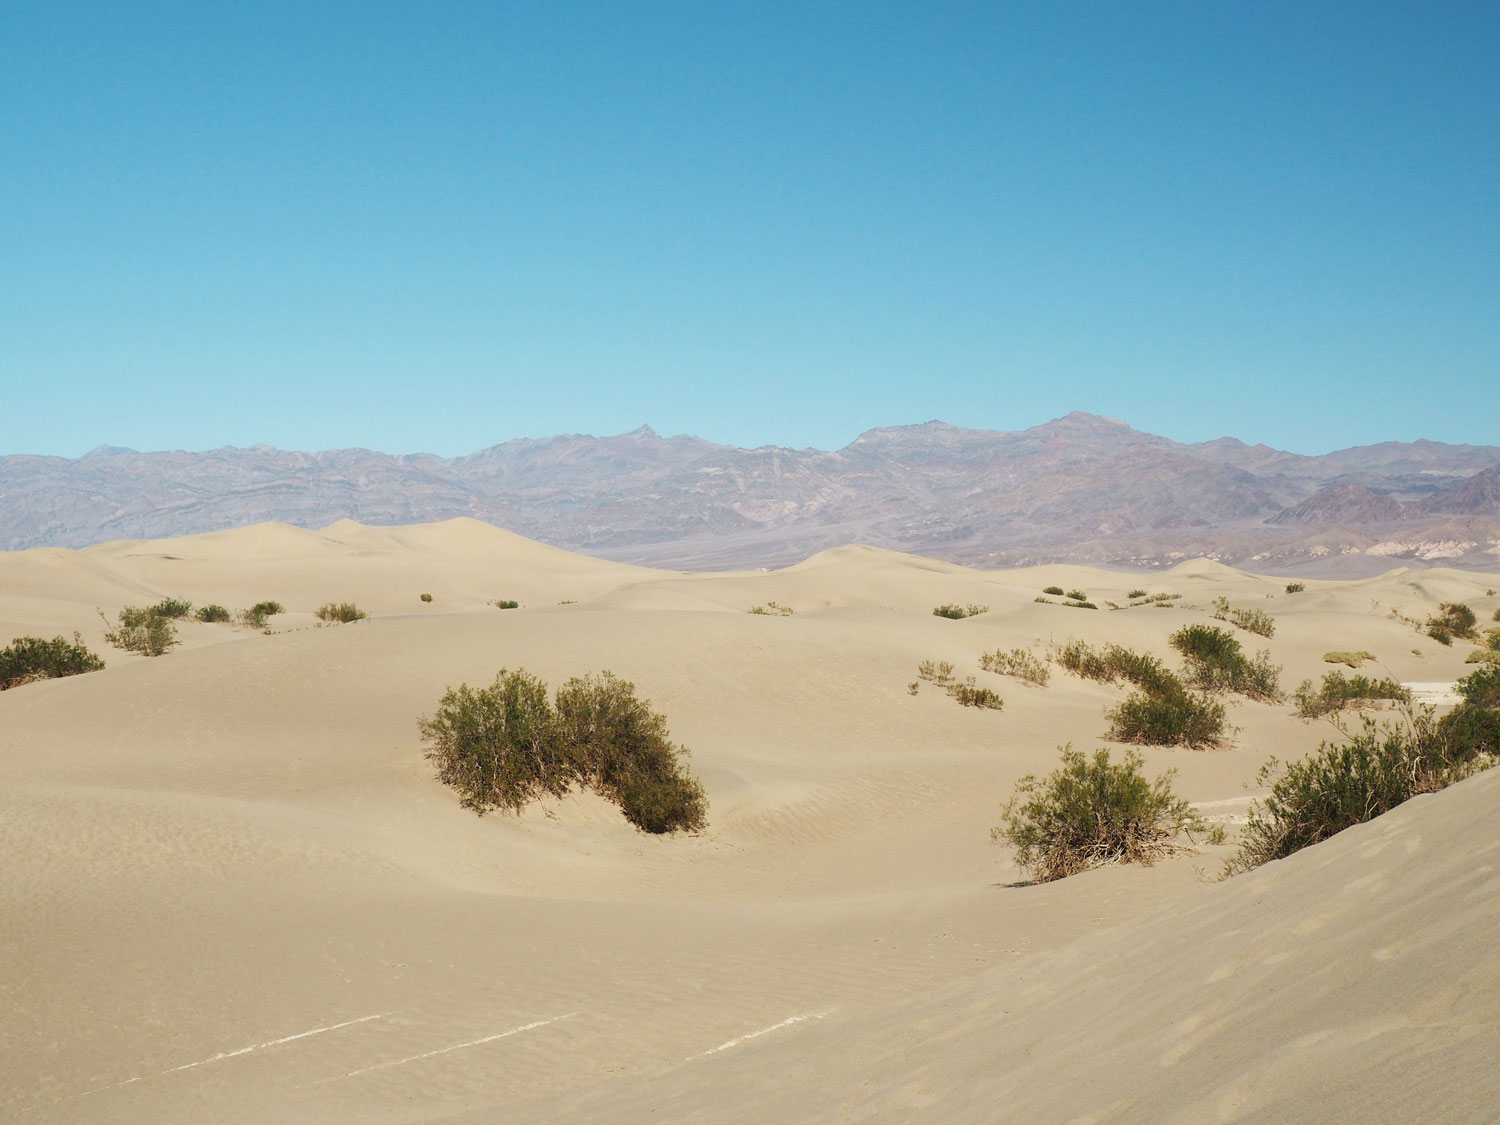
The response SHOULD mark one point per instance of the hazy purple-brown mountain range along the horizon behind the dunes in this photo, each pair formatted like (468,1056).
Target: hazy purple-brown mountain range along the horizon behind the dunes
(1081,488)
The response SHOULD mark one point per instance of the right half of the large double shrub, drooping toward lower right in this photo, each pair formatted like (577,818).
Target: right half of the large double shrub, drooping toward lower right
(622,749)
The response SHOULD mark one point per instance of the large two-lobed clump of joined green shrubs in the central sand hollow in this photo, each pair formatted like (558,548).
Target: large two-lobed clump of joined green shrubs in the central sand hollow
(508,745)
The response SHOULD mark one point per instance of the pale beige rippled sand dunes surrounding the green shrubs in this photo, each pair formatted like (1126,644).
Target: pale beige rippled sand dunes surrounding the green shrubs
(233,892)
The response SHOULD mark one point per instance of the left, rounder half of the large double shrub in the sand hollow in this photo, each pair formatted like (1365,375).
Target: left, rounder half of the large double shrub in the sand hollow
(499,746)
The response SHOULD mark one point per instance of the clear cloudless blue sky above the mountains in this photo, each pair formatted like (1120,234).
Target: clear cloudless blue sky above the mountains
(442,226)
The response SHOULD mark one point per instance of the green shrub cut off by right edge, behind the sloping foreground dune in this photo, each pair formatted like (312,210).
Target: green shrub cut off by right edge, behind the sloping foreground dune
(1361,778)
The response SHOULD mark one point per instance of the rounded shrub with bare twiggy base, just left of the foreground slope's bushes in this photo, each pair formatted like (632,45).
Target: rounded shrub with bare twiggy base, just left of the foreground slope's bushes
(1093,812)
